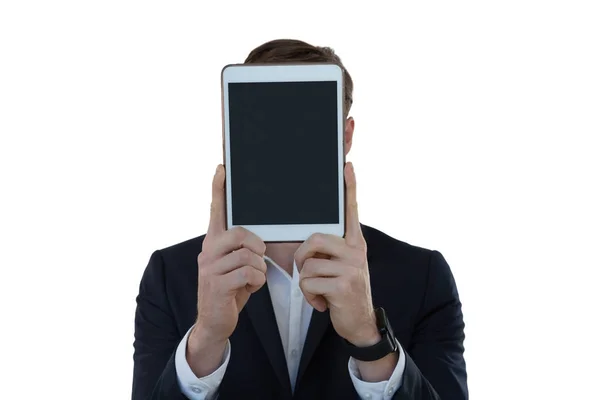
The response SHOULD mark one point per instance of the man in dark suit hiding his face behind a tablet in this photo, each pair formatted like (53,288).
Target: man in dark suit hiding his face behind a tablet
(226,315)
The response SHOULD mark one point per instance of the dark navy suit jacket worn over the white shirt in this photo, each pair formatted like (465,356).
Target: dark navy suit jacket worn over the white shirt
(414,285)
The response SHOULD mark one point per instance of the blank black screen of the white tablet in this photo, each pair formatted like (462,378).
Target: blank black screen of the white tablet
(284,153)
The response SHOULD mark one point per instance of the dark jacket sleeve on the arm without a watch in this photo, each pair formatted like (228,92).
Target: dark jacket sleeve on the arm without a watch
(156,338)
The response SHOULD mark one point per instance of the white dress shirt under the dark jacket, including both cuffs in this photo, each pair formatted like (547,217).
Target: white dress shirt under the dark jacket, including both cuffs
(293,314)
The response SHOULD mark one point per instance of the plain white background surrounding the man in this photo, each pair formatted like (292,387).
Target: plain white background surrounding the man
(477,128)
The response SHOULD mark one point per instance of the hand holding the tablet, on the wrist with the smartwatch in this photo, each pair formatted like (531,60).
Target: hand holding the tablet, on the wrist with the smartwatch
(334,274)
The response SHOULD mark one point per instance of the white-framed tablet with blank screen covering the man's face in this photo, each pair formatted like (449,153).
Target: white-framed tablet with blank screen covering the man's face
(283,135)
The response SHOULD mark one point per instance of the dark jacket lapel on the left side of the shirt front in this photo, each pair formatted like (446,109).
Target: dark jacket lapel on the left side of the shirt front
(260,310)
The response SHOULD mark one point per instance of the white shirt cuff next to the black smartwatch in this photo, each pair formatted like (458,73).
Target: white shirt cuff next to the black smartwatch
(383,390)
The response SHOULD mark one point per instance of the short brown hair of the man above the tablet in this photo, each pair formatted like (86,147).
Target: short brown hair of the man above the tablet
(290,50)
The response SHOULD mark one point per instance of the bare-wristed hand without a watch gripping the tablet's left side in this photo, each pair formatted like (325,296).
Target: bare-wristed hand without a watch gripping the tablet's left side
(230,268)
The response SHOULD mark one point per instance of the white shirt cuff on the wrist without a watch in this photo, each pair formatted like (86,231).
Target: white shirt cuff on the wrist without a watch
(191,386)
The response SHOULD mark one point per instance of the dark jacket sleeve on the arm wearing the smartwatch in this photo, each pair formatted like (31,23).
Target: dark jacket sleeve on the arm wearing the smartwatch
(435,366)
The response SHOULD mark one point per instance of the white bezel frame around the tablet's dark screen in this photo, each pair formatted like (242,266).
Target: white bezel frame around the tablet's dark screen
(240,73)
